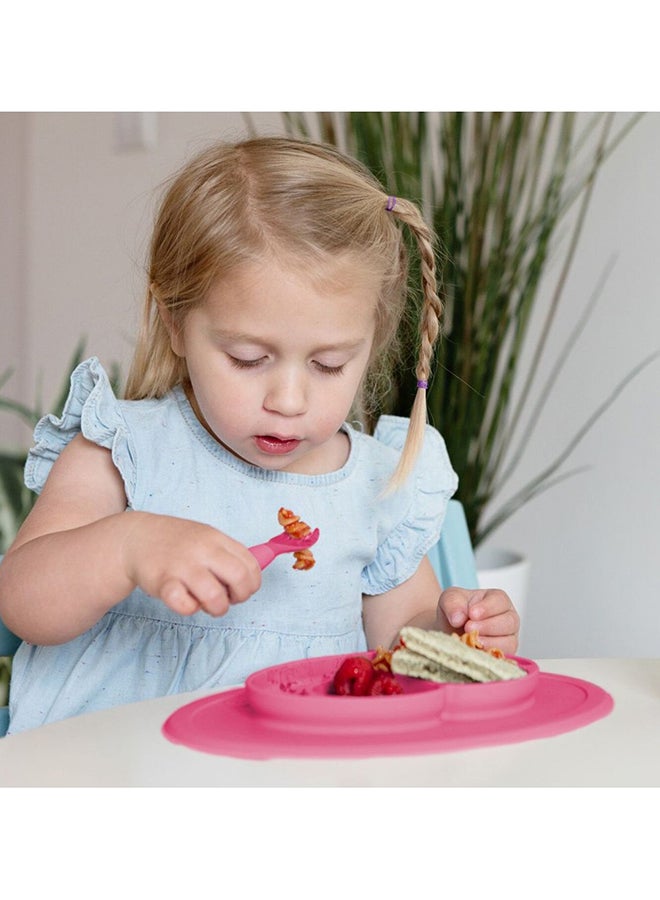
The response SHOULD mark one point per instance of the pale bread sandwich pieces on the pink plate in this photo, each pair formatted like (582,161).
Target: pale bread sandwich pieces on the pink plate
(440,657)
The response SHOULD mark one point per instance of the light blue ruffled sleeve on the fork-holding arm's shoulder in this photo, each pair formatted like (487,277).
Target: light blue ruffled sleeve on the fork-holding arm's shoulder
(91,409)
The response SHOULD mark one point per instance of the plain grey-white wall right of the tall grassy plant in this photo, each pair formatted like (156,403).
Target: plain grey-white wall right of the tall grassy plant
(593,540)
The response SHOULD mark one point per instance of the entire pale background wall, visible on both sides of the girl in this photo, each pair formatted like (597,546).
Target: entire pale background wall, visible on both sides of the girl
(76,216)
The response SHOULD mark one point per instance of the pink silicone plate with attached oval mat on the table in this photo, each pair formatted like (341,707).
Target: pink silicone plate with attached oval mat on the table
(287,711)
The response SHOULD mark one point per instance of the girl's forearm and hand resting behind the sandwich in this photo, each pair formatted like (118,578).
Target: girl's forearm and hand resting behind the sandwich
(421,602)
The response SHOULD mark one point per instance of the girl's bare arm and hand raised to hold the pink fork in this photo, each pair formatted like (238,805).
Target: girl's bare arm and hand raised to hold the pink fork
(80,552)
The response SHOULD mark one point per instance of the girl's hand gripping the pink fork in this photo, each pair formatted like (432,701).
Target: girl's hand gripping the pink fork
(188,565)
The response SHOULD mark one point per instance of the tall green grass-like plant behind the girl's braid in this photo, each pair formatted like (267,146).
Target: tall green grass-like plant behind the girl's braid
(500,190)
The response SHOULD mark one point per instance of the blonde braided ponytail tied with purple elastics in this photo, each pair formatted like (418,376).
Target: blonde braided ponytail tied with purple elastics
(429,328)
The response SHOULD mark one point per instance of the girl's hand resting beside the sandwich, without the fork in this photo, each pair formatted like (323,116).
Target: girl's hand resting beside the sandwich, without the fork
(488,611)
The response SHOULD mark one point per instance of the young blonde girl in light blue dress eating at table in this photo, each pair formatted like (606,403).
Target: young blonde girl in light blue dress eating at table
(277,282)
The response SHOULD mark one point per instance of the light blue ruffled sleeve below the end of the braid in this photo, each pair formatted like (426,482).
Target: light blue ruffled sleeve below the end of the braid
(422,504)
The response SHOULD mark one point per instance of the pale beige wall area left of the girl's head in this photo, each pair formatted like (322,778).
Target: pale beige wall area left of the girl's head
(89,210)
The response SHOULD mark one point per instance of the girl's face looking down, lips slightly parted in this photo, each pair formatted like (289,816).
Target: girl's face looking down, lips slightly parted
(275,361)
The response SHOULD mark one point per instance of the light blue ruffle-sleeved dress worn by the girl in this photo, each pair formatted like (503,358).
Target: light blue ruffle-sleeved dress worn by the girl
(370,542)
